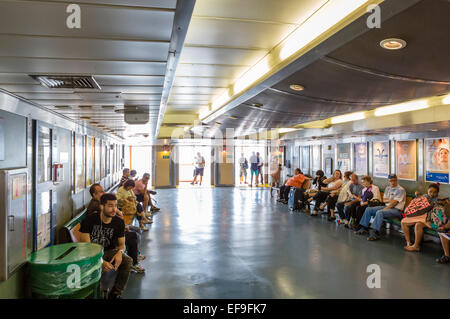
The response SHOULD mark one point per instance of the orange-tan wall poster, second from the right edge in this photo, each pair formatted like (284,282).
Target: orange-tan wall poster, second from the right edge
(406,160)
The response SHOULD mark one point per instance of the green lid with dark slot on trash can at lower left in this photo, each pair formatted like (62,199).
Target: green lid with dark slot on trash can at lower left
(57,257)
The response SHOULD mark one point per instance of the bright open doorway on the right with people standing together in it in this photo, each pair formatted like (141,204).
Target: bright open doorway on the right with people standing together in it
(247,152)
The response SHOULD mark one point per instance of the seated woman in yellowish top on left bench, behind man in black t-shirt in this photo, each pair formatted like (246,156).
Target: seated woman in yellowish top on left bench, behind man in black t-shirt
(126,201)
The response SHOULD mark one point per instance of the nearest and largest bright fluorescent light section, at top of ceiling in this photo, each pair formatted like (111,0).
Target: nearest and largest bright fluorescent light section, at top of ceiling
(323,20)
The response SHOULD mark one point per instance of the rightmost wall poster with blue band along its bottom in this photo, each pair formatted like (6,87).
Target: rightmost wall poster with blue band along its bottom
(436,160)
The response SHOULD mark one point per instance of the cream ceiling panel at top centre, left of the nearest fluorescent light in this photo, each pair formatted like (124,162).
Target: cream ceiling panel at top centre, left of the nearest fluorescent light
(287,11)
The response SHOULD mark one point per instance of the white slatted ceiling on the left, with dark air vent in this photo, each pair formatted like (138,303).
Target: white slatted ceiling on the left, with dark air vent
(124,44)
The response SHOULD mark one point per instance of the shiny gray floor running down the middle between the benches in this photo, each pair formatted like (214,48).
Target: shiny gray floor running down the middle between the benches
(238,243)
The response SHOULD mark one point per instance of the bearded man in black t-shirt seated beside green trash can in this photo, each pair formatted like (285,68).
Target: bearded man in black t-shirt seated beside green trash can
(108,230)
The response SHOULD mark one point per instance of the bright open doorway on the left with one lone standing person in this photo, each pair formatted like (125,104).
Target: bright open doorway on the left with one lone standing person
(187,166)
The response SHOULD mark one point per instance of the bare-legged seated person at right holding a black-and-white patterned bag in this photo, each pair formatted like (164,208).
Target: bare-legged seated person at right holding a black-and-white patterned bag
(420,221)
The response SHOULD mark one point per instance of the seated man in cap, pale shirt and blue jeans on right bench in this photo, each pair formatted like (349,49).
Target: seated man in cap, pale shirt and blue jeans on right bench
(394,199)
